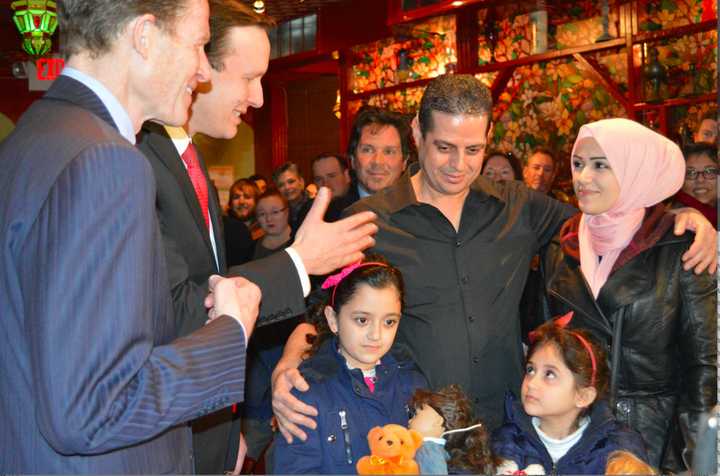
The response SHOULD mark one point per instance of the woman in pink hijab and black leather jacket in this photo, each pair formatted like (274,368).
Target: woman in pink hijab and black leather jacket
(618,266)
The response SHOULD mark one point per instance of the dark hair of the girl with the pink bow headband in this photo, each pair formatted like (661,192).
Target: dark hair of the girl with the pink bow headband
(375,276)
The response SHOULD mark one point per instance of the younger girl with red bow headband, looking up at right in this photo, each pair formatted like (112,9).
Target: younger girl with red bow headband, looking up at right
(562,424)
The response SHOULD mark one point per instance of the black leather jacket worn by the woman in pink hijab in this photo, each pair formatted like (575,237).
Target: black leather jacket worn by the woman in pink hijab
(658,324)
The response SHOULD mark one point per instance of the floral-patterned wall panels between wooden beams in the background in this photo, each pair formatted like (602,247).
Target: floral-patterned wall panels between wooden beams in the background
(544,104)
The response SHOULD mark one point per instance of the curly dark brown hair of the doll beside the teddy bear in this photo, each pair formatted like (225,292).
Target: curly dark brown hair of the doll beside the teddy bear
(469,450)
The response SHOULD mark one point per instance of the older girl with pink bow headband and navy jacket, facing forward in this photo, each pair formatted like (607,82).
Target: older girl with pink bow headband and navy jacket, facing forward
(358,379)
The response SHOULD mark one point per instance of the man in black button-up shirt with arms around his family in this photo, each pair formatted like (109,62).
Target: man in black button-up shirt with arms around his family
(464,246)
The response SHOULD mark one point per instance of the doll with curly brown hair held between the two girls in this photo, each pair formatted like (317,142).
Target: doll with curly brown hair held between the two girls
(453,441)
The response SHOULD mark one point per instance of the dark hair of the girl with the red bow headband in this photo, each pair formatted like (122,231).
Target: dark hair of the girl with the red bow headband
(575,356)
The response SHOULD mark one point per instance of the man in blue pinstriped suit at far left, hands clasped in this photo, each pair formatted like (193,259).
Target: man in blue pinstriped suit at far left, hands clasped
(92,377)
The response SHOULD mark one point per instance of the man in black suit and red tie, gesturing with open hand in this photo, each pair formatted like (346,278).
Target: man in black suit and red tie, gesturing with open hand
(190,220)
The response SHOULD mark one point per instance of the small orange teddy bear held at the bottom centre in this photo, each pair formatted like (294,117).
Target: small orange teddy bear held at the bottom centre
(392,449)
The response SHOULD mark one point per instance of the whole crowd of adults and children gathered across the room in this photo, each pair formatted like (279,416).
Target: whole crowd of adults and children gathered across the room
(428,283)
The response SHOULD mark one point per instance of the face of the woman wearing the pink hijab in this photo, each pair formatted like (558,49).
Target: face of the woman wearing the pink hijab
(595,184)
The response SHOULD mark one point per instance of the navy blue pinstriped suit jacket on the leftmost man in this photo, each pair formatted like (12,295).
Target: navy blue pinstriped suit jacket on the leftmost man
(91,380)
